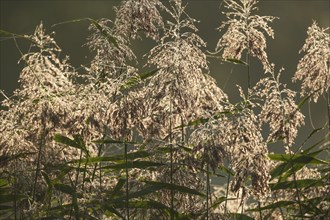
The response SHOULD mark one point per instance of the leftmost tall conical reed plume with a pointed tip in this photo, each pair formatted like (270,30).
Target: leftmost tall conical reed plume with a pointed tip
(39,111)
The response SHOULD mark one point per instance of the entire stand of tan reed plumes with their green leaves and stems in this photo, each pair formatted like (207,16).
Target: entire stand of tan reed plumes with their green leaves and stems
(110,142)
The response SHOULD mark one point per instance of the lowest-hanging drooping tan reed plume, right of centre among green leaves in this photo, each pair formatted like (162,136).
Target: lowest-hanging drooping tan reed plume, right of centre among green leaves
(236,135)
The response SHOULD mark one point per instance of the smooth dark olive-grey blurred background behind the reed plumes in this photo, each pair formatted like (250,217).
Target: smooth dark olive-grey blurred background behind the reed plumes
(295,16)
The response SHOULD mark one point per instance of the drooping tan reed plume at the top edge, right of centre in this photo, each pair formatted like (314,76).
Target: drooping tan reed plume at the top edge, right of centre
(245,31)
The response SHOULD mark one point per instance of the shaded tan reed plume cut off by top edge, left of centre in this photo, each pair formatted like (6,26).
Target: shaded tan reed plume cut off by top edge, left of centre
(133,16)
